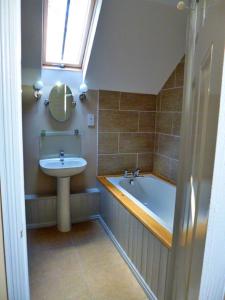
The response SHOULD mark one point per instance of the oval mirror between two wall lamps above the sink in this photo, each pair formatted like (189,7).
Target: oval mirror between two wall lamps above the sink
(61,102)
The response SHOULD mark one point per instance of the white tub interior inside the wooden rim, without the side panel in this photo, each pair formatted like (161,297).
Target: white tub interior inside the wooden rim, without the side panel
(155,196)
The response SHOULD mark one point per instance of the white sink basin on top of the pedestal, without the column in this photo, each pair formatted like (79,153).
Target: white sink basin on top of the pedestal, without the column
(70,166)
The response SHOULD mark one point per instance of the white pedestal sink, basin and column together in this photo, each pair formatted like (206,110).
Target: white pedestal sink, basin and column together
(63,169)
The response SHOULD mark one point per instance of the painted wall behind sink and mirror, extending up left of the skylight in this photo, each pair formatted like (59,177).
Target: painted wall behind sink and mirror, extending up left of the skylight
(36,116)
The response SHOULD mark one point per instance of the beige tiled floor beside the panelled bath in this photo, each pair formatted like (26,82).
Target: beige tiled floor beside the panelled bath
(80,265)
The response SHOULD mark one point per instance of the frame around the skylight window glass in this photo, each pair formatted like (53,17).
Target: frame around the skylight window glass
(57,65)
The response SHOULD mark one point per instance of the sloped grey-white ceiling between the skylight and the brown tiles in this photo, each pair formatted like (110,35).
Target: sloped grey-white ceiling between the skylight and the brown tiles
(137,45)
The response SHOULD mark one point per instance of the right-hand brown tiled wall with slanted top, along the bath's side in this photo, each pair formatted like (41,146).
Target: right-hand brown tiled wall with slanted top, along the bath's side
(168,120)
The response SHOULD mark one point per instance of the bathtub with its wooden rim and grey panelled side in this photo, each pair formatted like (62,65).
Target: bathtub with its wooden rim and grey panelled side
(138,216)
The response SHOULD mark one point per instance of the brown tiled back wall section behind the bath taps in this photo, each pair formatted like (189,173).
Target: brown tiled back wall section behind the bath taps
(126,133)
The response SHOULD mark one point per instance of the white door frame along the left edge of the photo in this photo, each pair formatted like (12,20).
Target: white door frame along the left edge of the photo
(11,151)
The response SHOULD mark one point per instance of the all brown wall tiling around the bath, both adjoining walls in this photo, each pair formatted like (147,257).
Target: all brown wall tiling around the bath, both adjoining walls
(139,130)
